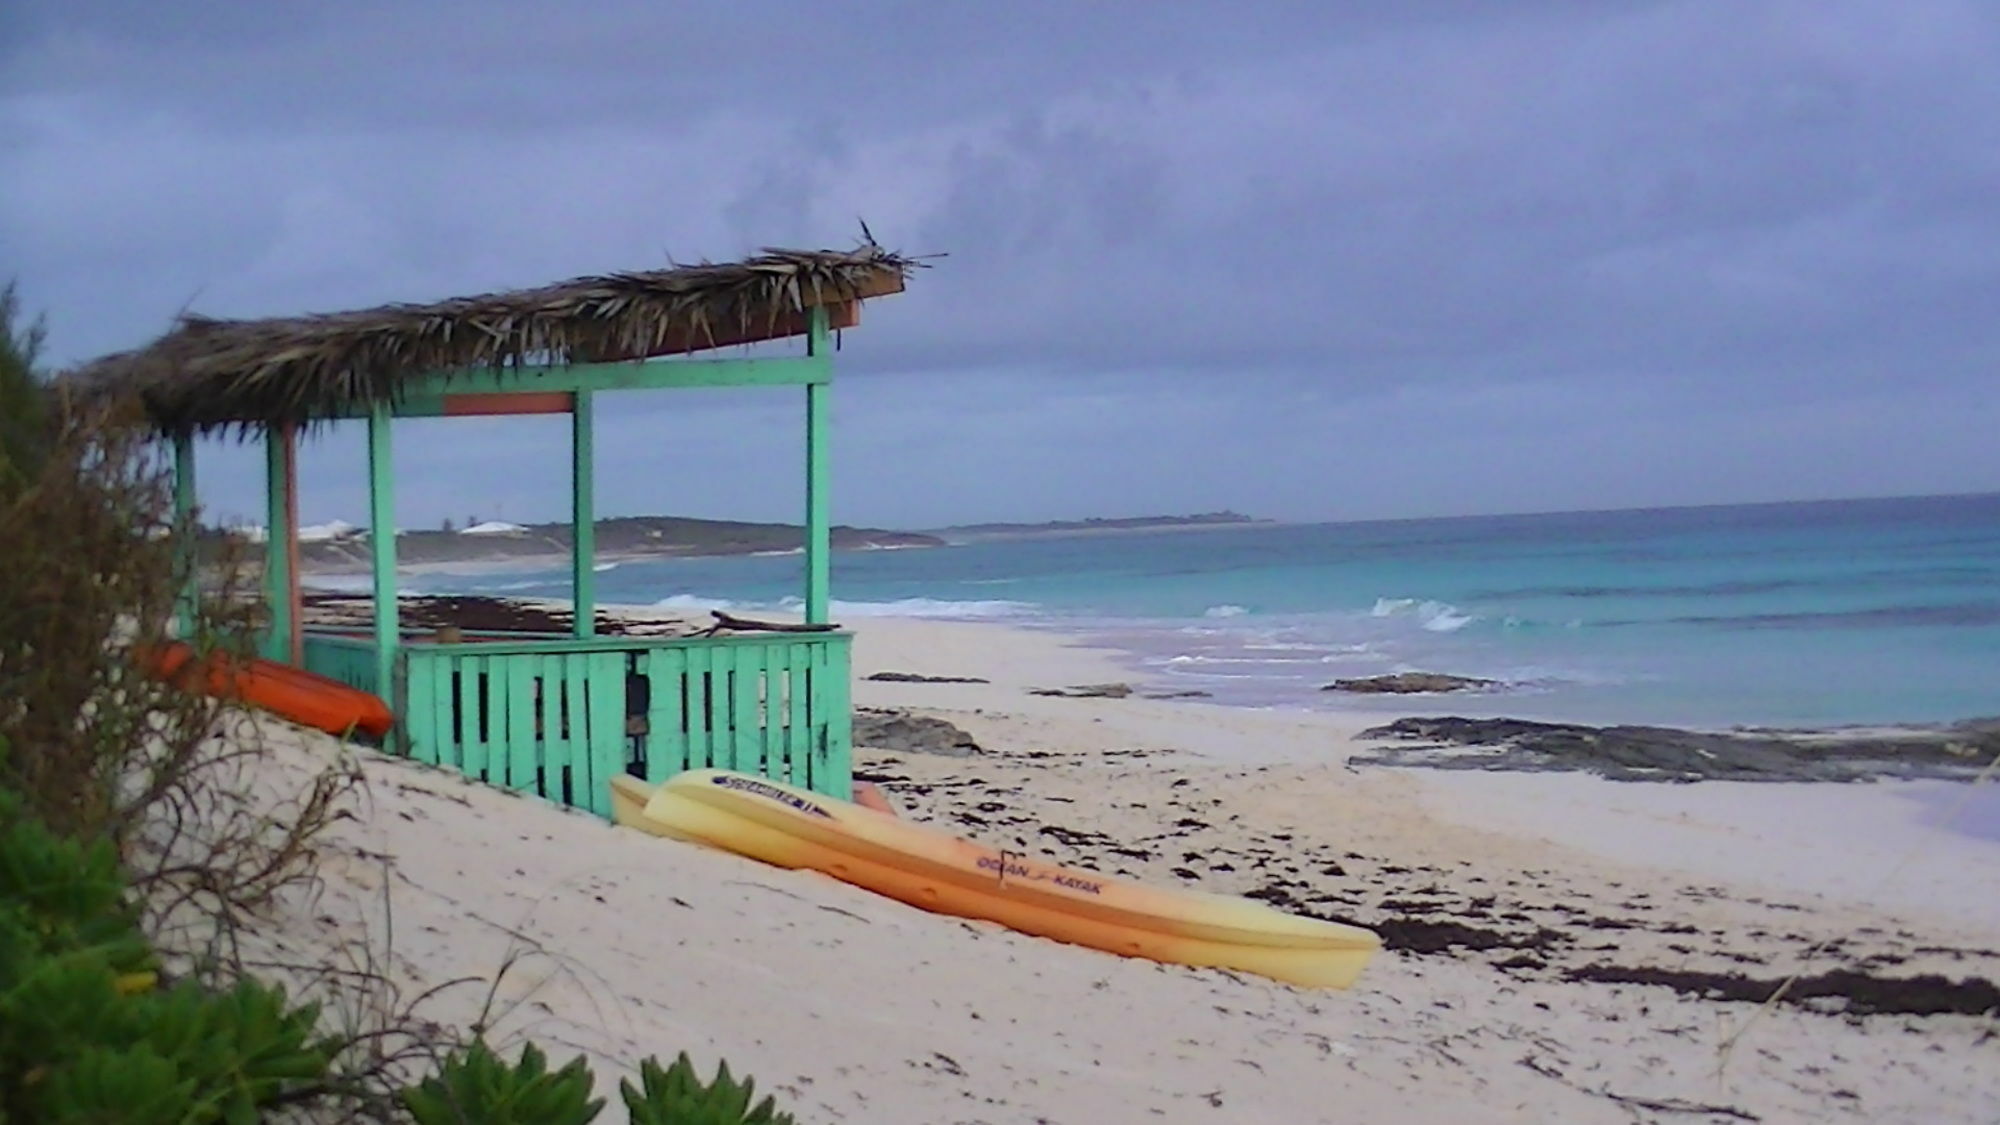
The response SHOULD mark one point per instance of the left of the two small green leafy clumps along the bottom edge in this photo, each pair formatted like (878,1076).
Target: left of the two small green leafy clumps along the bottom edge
(479,1088)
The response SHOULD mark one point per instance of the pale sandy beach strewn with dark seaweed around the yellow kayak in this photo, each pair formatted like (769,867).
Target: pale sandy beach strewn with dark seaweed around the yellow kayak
(1493,894)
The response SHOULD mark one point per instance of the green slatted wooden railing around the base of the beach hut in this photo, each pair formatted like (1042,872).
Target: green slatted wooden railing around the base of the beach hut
(559,718)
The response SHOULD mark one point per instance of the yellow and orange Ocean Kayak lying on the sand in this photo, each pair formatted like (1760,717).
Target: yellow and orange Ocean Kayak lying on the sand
(925,868)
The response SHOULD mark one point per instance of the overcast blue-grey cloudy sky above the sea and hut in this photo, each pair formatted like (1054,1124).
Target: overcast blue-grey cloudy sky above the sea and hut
(1309,261)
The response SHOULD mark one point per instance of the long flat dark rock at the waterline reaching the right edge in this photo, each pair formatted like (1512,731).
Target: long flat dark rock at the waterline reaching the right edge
(1667,754)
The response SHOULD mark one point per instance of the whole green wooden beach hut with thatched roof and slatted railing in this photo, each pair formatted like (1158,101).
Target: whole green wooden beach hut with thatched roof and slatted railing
(555,716)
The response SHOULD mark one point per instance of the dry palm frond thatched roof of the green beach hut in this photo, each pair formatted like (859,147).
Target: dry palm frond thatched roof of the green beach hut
(299,369)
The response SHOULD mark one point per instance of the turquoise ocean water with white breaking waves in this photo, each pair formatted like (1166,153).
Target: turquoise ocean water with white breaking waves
(1825,614)
